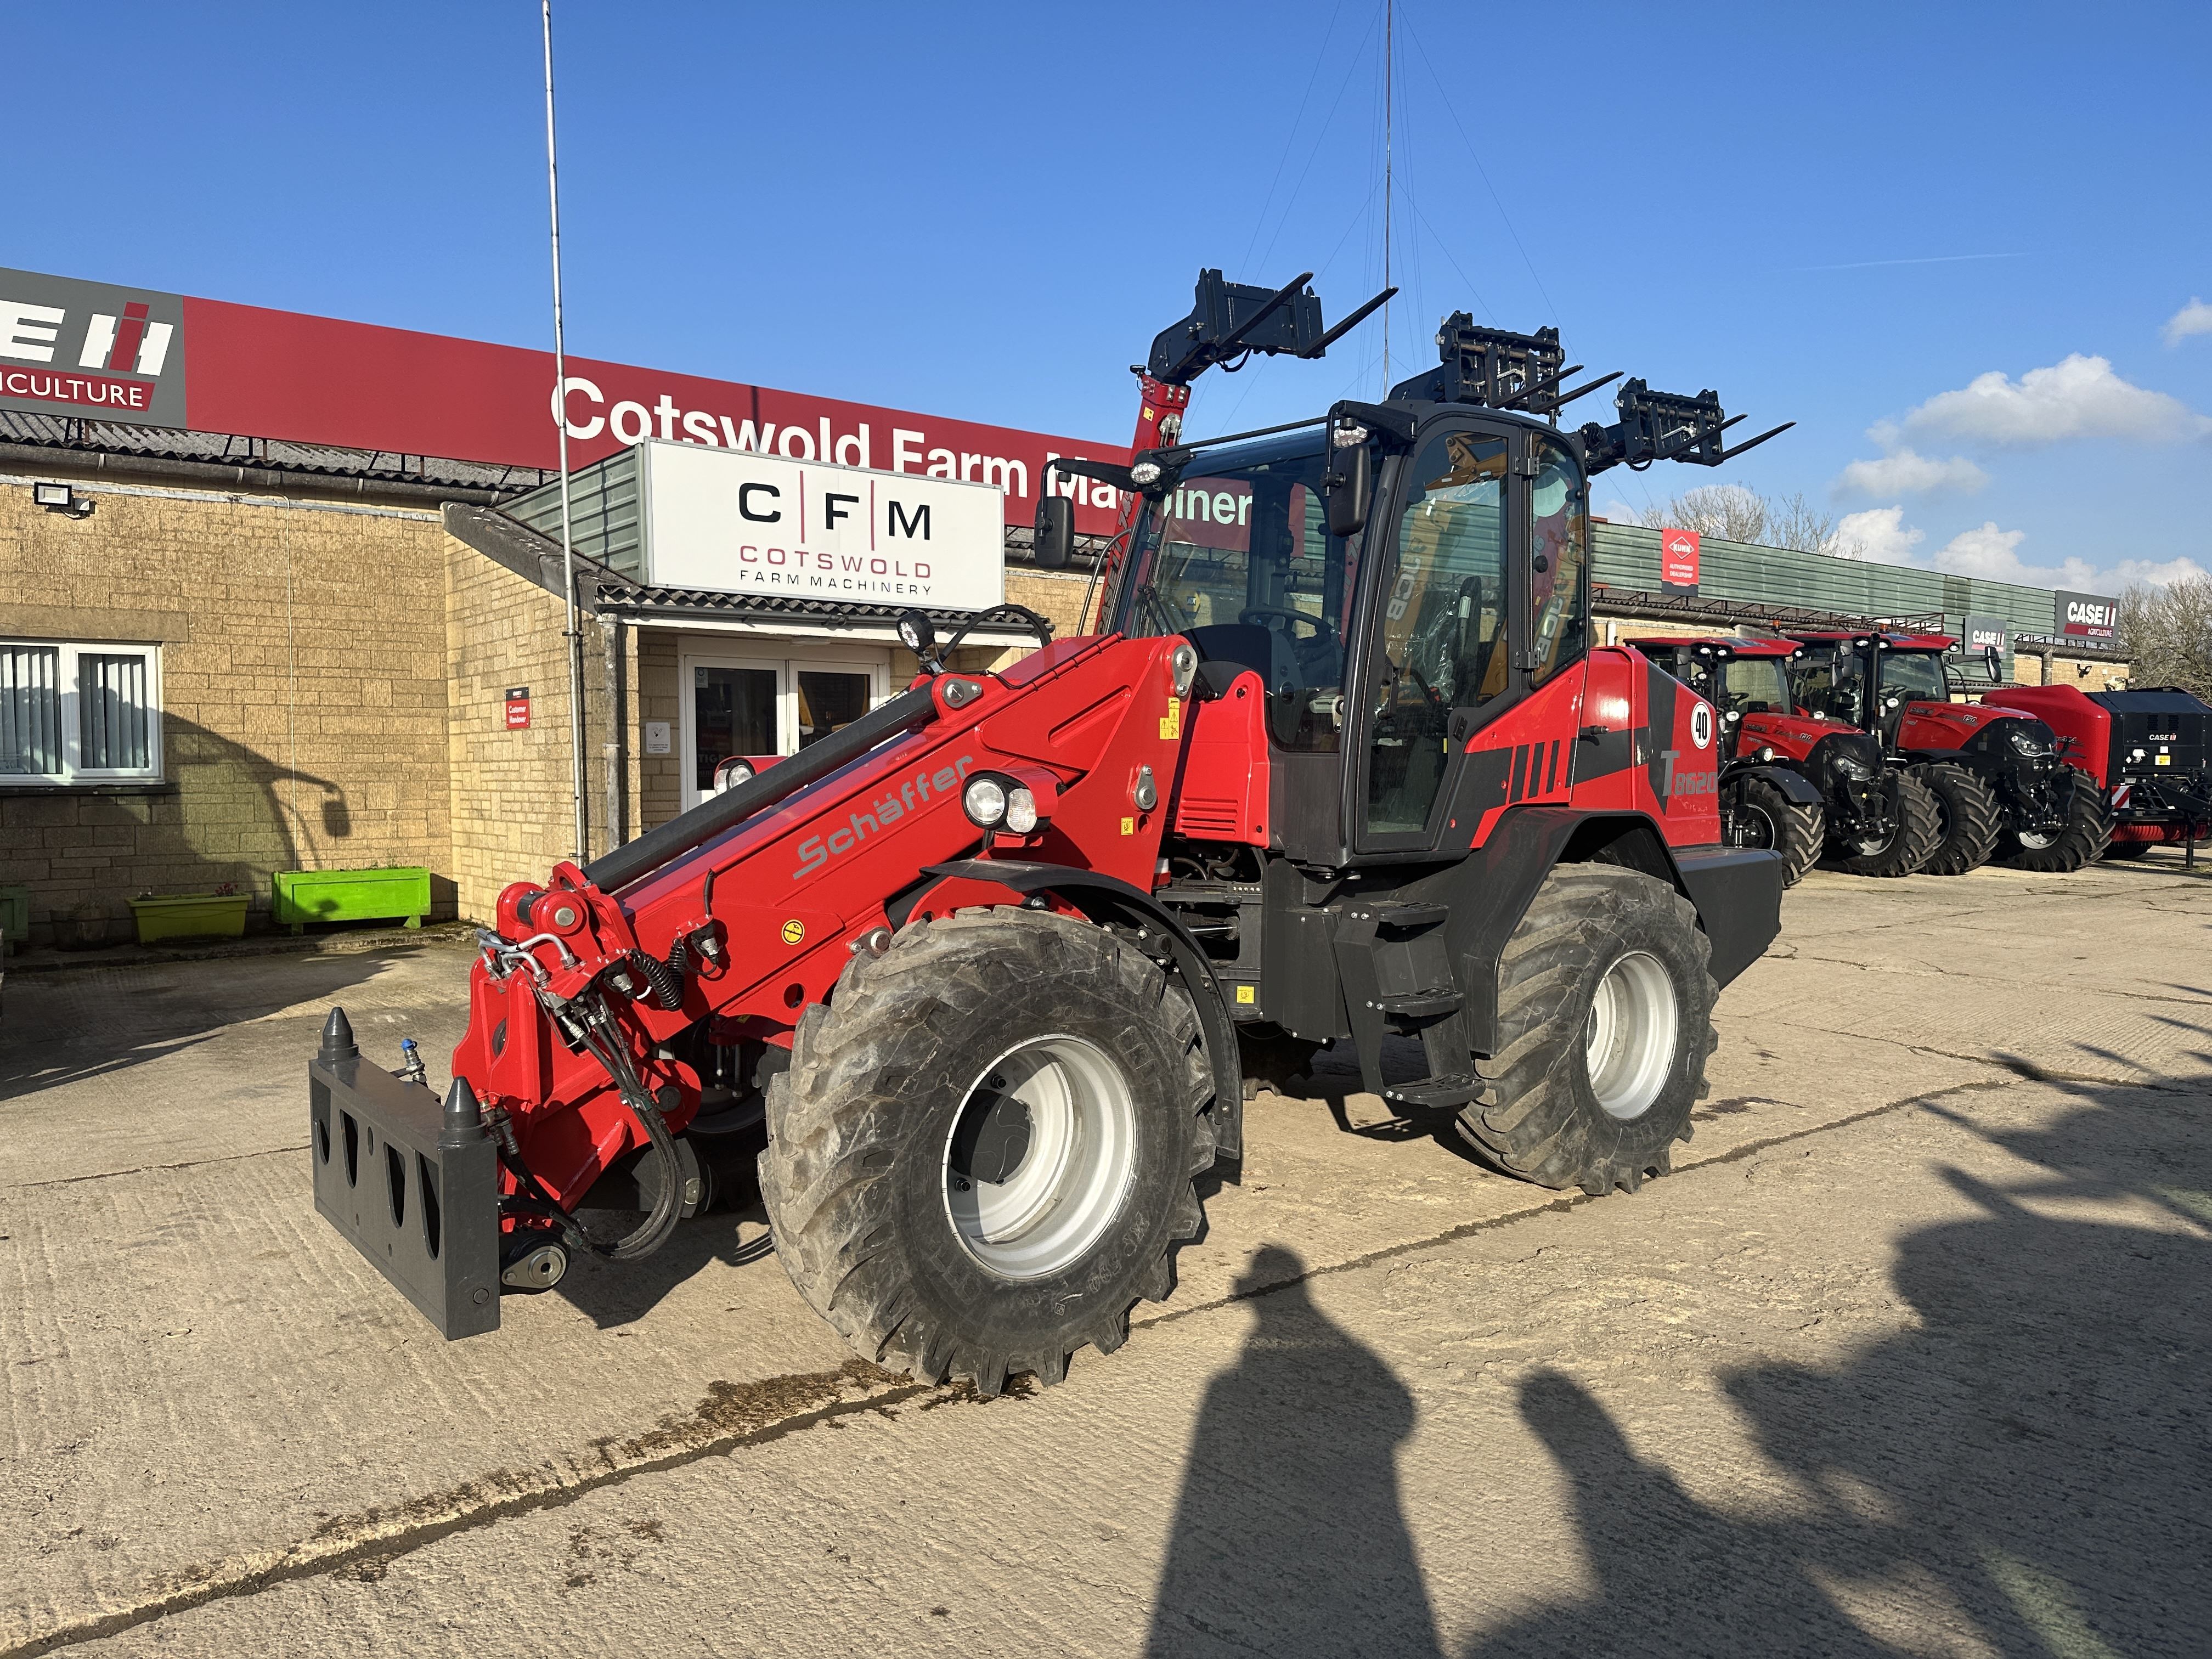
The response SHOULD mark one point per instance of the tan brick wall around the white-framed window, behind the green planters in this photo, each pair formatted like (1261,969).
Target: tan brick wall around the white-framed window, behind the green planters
(302,693)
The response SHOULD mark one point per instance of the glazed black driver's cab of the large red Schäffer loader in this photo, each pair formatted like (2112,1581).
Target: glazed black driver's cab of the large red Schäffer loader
(1384,654)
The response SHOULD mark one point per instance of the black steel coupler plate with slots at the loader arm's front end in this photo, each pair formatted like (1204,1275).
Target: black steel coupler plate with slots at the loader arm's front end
(415,1185)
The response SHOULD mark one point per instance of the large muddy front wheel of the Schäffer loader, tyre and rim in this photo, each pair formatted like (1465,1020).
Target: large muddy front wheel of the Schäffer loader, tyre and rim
(983,1151)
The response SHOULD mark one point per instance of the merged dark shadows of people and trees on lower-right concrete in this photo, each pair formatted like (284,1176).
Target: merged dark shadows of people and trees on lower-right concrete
(2027,1470)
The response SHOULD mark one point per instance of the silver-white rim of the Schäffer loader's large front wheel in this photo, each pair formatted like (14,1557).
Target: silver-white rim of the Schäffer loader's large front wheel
(1070,1182)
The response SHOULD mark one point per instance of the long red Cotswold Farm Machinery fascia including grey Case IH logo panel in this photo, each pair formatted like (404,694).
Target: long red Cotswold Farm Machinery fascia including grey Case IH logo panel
(103,353)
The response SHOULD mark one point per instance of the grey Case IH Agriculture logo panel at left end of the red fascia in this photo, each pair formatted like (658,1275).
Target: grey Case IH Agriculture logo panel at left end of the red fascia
(74,348)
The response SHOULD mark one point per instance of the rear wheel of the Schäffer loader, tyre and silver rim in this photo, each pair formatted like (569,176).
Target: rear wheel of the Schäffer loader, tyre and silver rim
(1605,1021)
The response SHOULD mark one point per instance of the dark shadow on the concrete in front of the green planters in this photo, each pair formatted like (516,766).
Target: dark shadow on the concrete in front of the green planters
(87,1023)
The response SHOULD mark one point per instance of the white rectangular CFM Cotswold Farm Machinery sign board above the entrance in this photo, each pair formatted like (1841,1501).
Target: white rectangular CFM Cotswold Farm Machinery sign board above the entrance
(727,521)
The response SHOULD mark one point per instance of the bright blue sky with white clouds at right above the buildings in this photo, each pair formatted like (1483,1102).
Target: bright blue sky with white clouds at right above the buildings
(1957,244)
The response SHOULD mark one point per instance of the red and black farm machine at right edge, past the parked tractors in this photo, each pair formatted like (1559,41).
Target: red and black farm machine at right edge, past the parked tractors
(2149,751)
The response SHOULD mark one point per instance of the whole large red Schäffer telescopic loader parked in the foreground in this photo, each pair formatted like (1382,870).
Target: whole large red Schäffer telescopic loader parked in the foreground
(1342,766)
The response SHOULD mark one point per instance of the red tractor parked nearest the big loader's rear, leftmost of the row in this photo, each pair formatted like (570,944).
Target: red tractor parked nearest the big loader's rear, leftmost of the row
(1797,782)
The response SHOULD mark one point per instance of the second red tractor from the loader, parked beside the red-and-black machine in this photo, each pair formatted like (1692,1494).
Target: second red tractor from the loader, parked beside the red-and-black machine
(1996,771)
